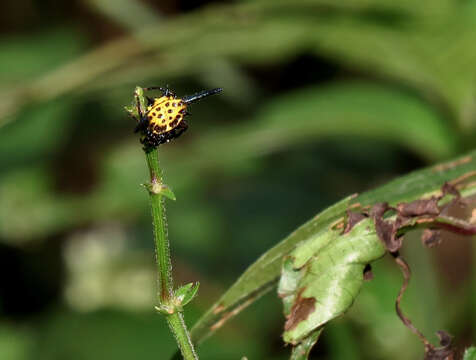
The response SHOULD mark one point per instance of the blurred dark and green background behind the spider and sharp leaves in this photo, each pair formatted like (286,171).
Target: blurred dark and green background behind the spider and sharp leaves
(321,99)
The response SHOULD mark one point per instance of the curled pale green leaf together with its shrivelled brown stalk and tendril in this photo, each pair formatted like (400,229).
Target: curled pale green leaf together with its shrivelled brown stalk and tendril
(323,275)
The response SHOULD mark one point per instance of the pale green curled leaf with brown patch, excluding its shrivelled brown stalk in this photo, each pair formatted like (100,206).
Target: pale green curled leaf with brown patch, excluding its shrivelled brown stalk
(329,269)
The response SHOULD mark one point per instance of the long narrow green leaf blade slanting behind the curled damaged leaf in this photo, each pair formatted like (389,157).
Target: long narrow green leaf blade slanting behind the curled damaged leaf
(263,275)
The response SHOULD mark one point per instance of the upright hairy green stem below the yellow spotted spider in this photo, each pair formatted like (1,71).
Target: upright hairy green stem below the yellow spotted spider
(166,299)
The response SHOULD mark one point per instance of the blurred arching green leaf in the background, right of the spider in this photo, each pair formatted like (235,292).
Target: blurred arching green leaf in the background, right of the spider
(357,109)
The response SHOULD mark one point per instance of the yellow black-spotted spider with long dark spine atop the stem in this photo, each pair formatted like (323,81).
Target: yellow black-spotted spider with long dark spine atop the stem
(164,118)
